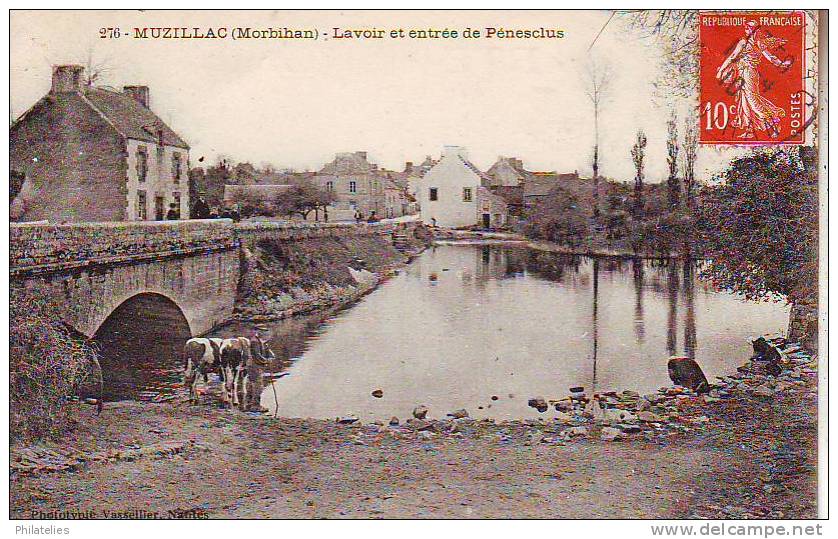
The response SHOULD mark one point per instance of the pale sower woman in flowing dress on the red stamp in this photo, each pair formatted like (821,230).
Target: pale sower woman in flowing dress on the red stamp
(754,112)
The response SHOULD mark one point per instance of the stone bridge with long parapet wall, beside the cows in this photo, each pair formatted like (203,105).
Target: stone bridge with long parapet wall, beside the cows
(147,276)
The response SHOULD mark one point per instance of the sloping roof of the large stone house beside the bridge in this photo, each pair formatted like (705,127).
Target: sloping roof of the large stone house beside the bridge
(130,118)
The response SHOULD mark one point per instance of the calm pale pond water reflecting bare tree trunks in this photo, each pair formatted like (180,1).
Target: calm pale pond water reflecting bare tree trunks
(486,327)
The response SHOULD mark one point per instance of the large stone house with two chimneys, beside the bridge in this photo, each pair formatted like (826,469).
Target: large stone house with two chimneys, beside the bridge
(93,154)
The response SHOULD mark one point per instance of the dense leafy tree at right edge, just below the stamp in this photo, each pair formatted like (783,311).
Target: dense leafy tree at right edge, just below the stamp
(759,227)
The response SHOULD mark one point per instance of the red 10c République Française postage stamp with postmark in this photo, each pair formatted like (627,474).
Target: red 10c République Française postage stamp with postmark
(752,77)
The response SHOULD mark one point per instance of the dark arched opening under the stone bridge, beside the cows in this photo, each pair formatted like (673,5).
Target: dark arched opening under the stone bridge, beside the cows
(140,343)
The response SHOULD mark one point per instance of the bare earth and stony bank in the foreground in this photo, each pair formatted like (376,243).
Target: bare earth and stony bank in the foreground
(748,450)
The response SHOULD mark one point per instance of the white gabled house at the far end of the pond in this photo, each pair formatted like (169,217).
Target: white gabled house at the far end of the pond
(452,194)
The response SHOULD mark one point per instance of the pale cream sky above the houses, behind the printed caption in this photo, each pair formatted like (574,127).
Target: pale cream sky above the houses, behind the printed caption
(295,103)
